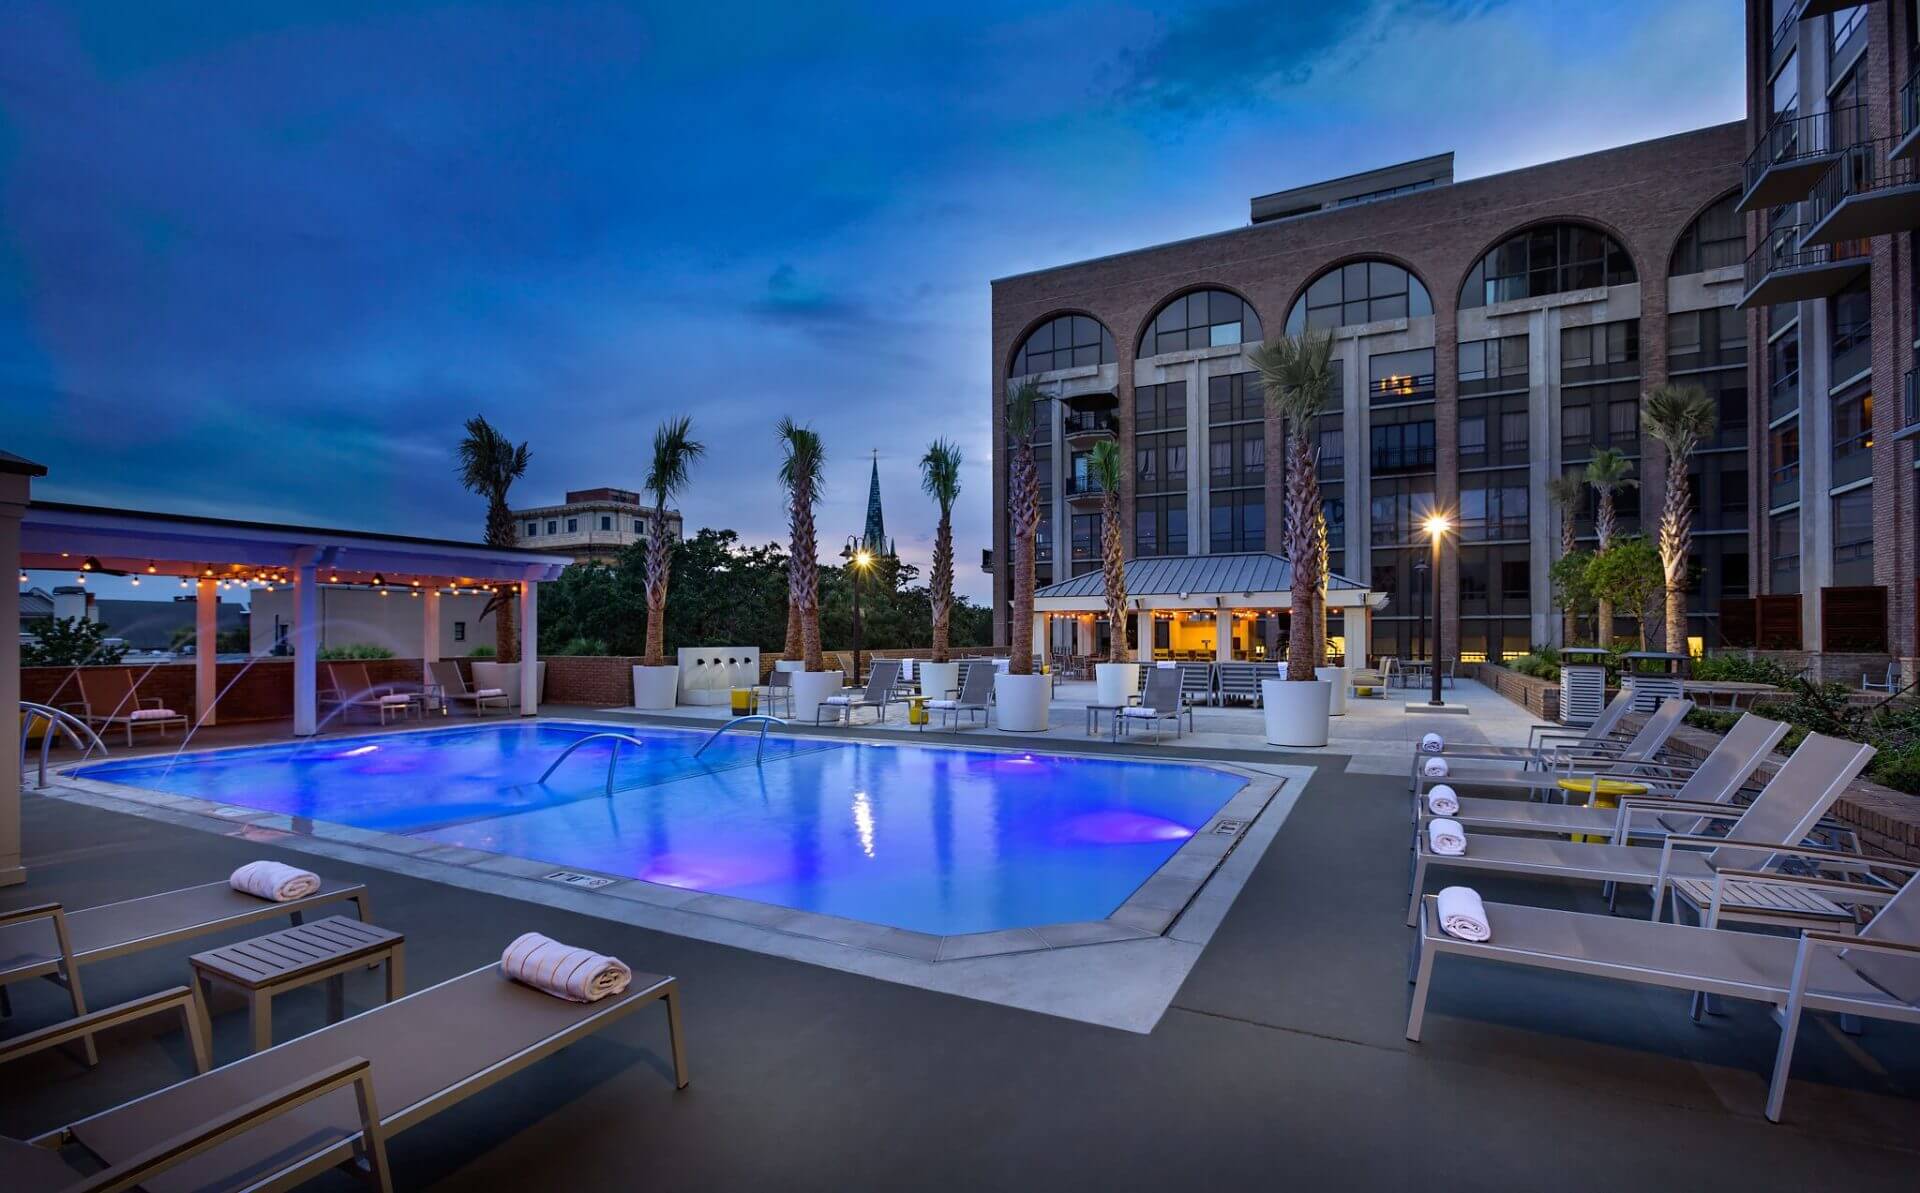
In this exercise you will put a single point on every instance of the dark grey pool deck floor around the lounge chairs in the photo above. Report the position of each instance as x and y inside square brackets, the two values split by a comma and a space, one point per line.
[1280, 1063]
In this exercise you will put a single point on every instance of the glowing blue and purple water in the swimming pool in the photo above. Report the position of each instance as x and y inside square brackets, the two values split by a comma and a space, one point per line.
[932, 840]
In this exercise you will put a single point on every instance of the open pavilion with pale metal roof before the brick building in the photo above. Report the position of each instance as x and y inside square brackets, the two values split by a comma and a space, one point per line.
[1199, 587]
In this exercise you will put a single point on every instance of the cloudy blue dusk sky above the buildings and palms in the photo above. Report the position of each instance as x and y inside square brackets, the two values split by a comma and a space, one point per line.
[262, 258]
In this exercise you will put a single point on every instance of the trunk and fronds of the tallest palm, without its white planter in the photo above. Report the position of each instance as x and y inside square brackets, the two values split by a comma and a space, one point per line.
[1297, 374]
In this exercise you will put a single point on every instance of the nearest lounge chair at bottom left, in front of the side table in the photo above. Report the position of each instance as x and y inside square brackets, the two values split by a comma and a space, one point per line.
[283, 1117]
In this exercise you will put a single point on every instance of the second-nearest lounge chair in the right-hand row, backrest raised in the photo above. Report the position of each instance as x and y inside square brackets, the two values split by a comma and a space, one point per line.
[1783, 816]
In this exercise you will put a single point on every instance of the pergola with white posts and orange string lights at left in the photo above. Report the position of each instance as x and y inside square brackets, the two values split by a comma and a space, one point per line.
[206, 554]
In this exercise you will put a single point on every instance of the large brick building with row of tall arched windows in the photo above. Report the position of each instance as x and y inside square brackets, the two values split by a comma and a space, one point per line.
[1489, 335]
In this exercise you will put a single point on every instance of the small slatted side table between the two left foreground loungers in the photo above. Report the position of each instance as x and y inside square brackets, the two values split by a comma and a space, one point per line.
[279, 962]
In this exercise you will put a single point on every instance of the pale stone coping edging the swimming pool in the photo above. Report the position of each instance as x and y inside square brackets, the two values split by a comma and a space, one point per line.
[1147, 913]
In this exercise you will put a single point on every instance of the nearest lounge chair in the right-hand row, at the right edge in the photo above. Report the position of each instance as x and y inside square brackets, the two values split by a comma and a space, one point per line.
[1875, 975]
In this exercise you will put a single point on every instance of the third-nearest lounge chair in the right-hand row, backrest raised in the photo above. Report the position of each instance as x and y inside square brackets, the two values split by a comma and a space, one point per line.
[1719, 779]
